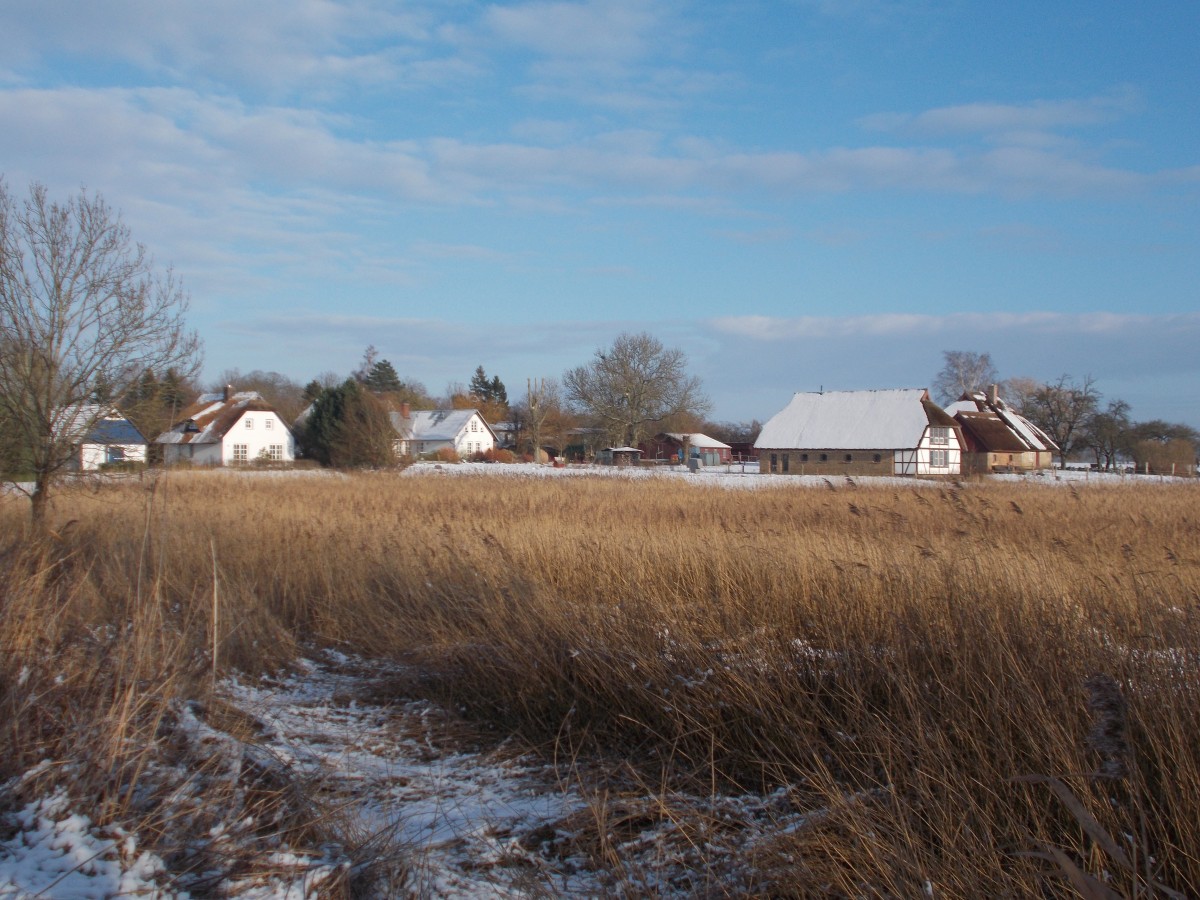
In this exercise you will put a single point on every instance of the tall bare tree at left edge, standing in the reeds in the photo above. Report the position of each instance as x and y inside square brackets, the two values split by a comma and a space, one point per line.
[81, 307]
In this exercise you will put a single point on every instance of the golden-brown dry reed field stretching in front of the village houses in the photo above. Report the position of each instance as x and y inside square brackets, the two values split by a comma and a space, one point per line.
[977, 689]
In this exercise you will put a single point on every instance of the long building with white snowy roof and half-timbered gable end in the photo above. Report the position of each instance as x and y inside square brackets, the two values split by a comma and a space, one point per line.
[872, 433]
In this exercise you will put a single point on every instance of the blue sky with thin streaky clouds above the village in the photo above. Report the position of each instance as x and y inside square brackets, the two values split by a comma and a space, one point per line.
[801, 195]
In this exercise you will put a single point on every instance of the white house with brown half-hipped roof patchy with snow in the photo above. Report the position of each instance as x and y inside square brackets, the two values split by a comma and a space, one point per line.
[227, 429]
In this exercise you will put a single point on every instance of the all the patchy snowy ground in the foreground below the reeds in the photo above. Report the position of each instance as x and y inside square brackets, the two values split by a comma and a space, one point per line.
[417, 811]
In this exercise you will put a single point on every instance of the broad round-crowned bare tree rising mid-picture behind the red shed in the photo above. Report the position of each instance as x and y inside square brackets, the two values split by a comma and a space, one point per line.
[635, 383]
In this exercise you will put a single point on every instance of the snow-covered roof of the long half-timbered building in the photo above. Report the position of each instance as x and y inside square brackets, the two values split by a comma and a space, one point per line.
[854, 421]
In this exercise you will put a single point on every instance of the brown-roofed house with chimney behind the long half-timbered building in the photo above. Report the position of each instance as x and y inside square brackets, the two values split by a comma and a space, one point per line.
[998, 439]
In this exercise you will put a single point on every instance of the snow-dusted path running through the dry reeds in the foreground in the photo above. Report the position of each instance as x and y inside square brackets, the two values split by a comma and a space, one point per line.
[447, 821]
